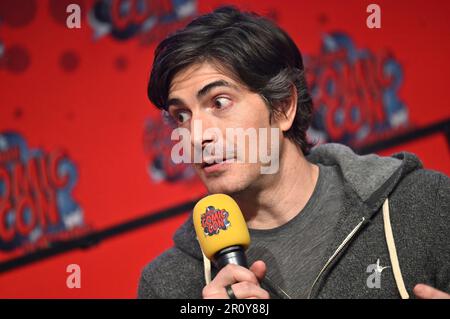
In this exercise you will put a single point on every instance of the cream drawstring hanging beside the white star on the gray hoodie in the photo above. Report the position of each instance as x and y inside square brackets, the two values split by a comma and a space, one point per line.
[393, 252]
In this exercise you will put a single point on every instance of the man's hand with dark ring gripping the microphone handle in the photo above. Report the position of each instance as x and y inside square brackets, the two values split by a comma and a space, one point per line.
[245, 282]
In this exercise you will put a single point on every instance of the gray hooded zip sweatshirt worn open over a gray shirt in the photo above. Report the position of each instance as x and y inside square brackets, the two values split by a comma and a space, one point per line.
[393, 210]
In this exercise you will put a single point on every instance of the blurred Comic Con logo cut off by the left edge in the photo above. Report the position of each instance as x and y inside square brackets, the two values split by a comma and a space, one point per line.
[36, 202]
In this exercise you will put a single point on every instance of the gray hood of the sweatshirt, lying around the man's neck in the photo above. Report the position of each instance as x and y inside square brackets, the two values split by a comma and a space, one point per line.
[369, 179]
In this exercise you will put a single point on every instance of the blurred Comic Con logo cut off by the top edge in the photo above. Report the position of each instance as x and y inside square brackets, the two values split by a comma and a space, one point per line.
[152, 19]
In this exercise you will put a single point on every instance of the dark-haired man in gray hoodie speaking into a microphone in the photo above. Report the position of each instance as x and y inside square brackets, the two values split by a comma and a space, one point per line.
[323, 225]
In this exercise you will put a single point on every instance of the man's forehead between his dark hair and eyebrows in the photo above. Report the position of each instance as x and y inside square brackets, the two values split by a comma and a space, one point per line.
[194, 77]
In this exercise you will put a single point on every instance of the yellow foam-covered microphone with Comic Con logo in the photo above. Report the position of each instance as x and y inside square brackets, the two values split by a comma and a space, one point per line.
[221, 230]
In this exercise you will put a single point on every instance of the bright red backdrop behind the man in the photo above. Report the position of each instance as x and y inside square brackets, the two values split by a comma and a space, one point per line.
[83, 92]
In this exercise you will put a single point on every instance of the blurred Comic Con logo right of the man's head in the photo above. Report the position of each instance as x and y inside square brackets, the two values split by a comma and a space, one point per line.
[355, 92]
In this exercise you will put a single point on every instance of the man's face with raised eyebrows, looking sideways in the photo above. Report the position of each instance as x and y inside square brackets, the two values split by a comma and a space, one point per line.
[203, 94]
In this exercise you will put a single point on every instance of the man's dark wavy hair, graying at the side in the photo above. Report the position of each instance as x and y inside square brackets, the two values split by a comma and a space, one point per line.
[254, 50]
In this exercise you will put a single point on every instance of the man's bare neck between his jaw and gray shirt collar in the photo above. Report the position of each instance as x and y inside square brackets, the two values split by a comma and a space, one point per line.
[281, 196]
